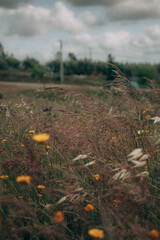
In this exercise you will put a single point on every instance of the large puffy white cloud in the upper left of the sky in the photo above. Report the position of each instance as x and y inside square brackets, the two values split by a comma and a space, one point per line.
[30, 20]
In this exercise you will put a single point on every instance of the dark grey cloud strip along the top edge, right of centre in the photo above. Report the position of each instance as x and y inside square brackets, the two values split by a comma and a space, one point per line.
[81, 3]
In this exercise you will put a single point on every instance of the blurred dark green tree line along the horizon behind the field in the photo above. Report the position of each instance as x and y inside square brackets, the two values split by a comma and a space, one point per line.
[75, 66]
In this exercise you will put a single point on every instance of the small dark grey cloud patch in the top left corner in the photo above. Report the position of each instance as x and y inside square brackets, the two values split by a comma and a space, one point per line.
[13, 3]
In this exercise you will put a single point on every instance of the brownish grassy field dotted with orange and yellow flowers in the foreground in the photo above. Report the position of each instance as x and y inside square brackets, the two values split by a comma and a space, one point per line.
[94, 175]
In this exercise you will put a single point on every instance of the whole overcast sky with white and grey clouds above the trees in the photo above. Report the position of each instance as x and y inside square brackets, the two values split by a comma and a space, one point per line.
[128, 29]
